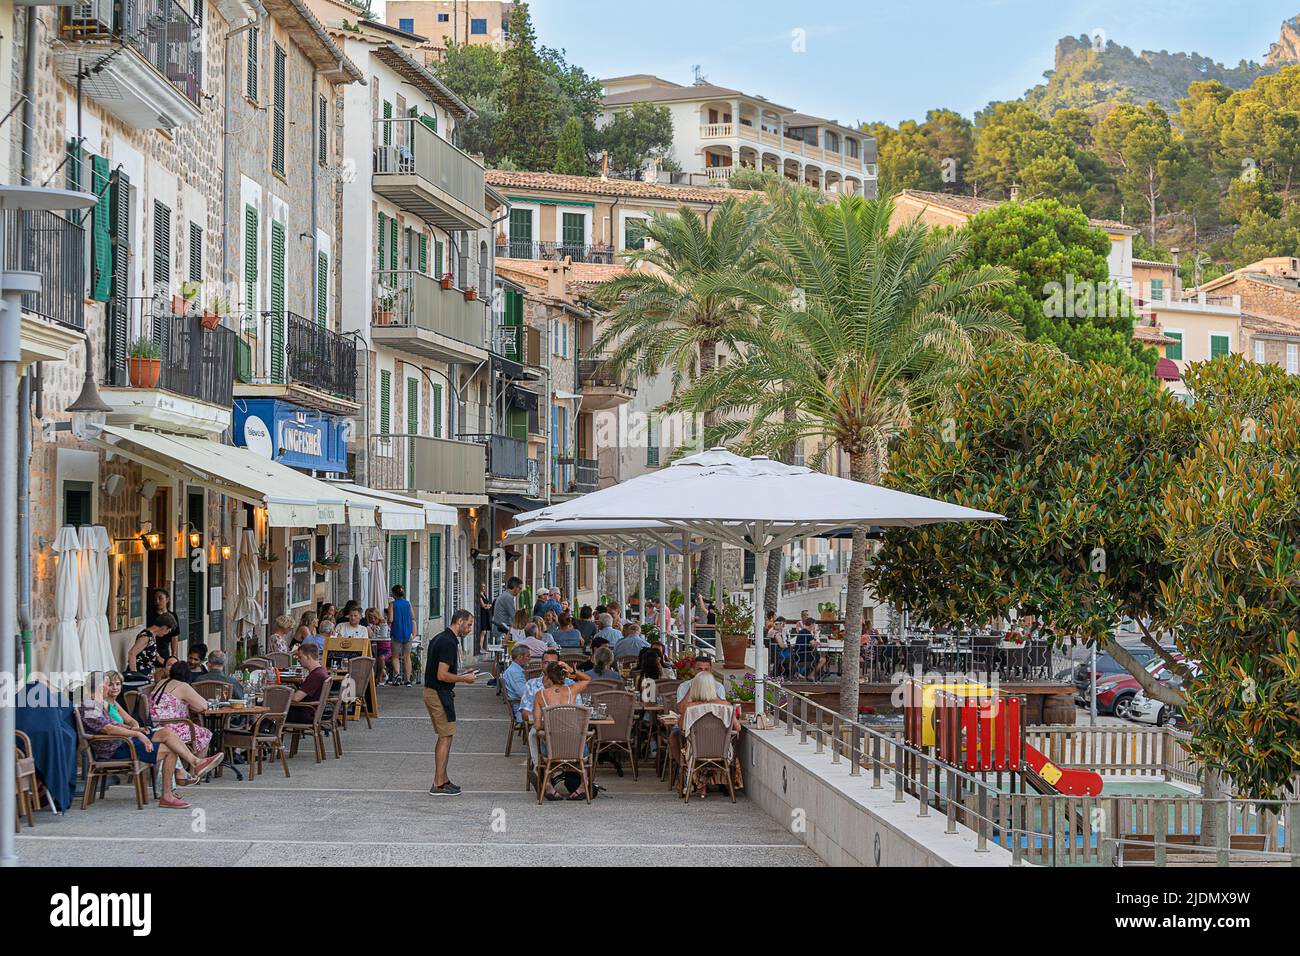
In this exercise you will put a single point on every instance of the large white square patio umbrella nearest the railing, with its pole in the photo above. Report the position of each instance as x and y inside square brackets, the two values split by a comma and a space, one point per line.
[756, 504]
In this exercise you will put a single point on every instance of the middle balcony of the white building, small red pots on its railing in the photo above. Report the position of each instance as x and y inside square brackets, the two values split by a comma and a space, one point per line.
[415, 313]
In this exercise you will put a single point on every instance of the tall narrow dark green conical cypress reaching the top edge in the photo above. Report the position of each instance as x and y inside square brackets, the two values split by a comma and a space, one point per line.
[527, 132]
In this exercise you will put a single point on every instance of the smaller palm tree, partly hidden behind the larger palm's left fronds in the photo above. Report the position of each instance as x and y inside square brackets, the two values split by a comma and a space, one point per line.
[664, 313]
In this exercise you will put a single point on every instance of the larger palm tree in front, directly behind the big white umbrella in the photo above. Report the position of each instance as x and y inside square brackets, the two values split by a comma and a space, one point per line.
[863, 328]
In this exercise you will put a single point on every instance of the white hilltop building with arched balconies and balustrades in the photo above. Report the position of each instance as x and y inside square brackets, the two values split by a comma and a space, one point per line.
[717, 131]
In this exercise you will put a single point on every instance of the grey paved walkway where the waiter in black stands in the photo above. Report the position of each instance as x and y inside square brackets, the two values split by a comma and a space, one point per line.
[372, 807]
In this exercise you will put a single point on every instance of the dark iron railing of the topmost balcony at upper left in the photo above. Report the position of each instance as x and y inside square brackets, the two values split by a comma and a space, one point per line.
[162, 32]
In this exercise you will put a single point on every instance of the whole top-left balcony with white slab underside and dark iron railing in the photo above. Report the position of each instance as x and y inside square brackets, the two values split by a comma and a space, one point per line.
[142, 62]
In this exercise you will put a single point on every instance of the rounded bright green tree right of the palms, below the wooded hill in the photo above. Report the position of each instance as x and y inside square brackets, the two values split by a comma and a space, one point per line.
[1054, 249]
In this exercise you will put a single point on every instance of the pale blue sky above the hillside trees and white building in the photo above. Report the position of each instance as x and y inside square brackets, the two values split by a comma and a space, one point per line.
[887, 60]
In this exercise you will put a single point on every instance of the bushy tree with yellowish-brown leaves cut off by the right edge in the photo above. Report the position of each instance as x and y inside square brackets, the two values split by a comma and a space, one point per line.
[1236, 596]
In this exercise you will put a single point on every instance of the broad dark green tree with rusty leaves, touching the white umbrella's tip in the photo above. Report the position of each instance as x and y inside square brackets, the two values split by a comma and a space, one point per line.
[1076, 457]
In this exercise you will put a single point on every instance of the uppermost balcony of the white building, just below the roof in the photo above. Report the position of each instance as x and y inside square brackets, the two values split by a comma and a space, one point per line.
[423, 174]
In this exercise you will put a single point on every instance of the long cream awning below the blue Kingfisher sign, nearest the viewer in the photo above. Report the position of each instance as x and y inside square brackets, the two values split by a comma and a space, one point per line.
[292, 500]
